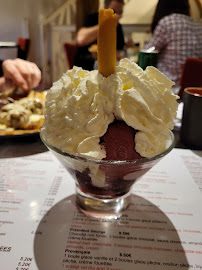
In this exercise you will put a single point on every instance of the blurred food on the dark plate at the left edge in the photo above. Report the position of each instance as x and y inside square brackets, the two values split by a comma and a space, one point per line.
[21, 115]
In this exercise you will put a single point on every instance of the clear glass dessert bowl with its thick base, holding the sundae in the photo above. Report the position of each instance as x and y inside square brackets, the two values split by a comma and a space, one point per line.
[103, 187]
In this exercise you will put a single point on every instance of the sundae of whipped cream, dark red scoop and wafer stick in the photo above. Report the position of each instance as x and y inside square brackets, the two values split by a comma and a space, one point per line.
[109, 126]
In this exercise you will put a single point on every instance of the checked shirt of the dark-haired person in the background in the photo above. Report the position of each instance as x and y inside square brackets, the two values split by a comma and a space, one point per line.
[176, 37]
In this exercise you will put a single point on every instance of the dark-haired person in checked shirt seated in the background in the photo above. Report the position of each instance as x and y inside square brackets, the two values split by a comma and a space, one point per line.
[175, 35]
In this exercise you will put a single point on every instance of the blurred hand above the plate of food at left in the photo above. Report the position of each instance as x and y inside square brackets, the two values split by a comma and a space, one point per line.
[21, 73]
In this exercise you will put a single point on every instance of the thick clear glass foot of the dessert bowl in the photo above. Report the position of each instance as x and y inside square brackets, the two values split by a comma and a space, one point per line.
[103, 207]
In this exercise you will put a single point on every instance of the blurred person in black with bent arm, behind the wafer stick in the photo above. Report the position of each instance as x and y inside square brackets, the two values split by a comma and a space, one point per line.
[88, 33]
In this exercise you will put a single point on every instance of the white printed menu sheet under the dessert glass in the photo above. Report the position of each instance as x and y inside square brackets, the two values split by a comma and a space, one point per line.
[41, 227]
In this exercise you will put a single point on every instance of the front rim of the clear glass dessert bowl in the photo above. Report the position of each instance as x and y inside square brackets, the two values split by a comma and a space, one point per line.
[111, 162]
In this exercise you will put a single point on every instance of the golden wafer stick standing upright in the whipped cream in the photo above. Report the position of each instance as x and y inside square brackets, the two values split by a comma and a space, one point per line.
[107, 42]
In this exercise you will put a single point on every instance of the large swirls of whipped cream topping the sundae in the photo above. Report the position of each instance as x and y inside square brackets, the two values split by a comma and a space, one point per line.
[82, 104]
